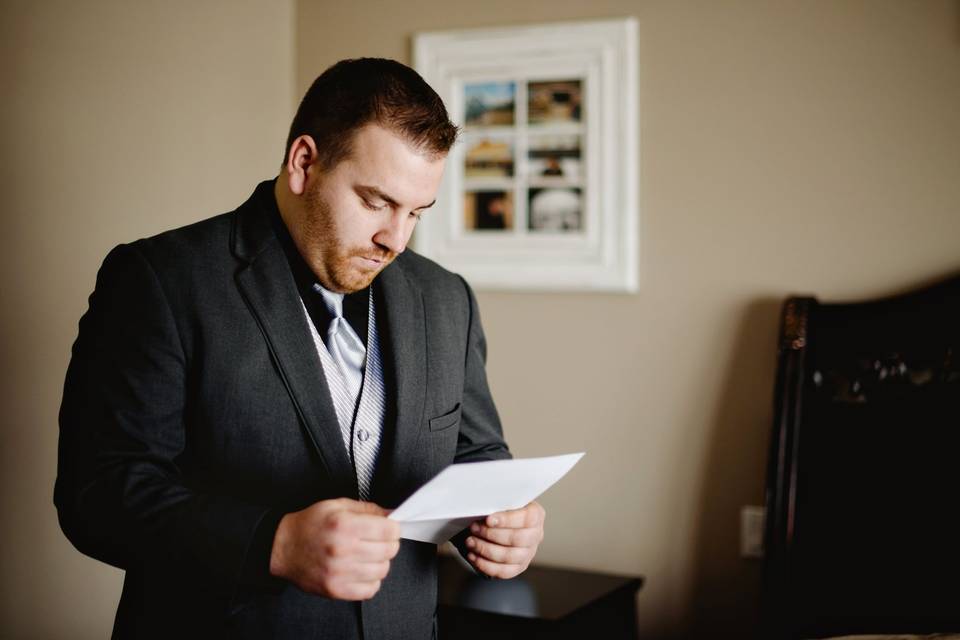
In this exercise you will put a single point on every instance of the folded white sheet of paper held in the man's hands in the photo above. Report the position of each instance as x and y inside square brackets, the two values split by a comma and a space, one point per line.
[462, 493]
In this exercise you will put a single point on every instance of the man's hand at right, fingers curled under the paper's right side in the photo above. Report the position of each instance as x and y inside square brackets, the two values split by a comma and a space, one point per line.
[503, 544]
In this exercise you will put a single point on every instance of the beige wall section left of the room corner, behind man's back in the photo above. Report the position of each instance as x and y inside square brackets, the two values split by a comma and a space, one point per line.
[120, 119]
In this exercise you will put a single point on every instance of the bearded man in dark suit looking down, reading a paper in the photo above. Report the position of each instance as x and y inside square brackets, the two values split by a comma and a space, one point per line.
[238, 385]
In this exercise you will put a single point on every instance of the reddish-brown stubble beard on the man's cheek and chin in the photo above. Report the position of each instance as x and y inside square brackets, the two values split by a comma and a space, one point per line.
[332, 261]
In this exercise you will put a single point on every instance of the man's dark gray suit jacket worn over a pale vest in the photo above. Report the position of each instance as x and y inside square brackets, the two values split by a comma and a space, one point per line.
[195, 413]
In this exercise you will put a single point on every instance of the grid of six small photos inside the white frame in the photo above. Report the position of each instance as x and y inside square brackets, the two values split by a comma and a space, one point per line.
[523, 156]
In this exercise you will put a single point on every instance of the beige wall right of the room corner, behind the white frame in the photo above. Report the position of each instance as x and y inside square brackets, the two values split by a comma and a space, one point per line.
[807, 146]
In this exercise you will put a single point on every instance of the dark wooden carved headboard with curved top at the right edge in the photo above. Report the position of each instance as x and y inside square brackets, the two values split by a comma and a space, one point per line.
[863, 484]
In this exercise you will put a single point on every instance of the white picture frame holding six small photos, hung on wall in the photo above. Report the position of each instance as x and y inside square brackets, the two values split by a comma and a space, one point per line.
[540, 192]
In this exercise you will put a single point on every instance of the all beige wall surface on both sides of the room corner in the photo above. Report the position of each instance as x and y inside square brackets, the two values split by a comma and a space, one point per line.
[786, 146]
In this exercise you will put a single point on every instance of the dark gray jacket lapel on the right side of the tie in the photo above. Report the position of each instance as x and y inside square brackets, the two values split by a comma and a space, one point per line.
[405, 344]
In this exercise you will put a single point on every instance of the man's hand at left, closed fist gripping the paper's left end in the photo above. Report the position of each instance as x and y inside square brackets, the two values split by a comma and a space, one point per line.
[336, 548]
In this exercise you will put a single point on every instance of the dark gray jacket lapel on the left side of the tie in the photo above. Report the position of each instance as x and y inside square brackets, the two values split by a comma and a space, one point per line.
[267, 285]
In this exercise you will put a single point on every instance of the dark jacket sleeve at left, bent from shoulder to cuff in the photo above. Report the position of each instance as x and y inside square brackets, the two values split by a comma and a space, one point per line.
[120, 492]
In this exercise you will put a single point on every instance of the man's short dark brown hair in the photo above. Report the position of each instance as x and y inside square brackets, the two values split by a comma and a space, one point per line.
[357, 92]
